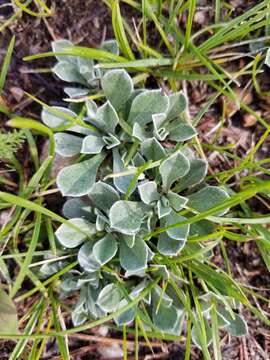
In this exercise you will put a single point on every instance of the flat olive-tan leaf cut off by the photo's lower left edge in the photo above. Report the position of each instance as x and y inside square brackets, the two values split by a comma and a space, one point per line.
[8, 314]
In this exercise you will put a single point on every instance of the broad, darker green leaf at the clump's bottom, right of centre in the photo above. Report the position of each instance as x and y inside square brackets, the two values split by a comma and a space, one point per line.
[165, 317]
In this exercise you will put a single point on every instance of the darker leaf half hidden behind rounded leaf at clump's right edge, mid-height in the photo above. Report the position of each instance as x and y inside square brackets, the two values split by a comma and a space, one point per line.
[196, 174]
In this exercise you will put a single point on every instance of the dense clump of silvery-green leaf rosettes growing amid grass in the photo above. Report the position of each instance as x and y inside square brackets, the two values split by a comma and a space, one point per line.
[133, 191]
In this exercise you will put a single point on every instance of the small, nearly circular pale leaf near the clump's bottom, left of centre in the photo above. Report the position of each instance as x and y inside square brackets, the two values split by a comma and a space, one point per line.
[109, 298]
